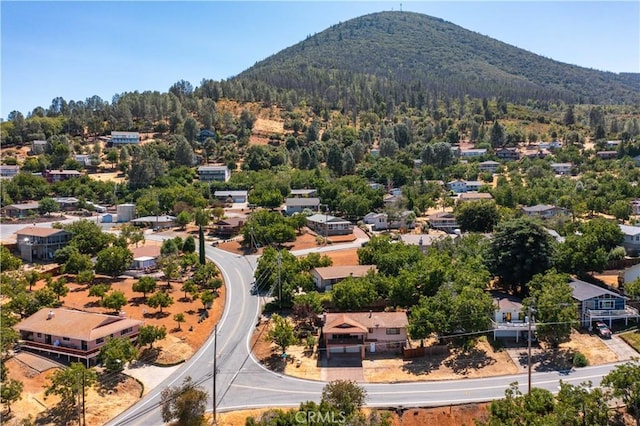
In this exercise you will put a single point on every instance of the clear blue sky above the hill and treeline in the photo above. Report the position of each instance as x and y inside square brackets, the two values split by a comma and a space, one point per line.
[80, 49]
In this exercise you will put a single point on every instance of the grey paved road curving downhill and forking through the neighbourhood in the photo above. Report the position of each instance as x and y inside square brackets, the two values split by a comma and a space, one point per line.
[243, 383]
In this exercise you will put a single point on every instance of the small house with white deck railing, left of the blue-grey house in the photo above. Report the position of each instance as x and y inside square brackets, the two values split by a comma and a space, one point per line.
[509, 319]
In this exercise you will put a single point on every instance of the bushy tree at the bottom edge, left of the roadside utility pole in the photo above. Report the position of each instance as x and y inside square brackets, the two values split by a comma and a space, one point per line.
[185, 403]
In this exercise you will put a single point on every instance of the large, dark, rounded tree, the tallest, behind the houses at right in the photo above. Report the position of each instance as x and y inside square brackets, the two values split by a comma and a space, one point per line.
[519, 249]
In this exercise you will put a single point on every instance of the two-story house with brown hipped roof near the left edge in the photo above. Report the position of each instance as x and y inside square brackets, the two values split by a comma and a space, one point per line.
[37, 243]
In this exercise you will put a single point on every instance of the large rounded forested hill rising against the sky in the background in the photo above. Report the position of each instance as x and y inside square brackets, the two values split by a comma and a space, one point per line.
[403, 56]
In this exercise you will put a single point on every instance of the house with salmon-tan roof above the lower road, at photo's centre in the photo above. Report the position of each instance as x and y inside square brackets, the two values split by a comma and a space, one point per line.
[361, 332]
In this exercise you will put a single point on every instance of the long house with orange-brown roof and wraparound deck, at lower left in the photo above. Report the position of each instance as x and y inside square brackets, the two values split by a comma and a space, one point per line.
[76, 334]
